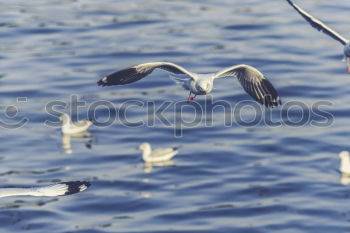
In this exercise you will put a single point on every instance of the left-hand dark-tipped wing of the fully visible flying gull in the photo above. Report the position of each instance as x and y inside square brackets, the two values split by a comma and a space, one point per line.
[137, 72]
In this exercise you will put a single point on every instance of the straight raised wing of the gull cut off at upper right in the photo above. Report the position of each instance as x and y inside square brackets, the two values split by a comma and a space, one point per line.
[318, 24]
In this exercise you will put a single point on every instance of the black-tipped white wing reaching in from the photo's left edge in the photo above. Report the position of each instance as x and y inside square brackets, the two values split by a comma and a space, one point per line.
[60, 189]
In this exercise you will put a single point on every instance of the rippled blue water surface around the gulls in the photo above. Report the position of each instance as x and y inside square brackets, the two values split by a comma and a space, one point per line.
[225, 179]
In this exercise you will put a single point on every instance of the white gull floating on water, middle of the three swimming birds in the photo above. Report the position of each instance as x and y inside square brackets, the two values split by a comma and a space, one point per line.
[158, 155]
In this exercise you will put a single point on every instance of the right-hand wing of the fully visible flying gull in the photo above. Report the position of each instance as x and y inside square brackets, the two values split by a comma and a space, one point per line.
[253, 82]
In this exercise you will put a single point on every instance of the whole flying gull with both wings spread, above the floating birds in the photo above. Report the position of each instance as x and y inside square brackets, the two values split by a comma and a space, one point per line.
[251, 79]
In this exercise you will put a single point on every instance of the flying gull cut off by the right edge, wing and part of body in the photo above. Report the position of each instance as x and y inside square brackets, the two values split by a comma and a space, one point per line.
[327, 30]
